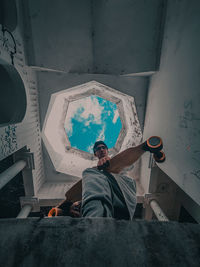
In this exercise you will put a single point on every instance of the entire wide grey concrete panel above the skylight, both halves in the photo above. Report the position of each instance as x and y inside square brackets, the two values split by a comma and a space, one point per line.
[114, 37]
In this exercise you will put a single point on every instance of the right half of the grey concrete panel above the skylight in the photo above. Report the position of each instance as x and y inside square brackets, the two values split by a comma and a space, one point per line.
[127, 35]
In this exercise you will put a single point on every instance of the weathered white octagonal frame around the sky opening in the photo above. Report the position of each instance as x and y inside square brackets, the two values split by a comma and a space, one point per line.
[72, 161]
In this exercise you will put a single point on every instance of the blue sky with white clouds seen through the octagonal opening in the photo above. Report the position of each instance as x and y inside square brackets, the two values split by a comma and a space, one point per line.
[90, 119]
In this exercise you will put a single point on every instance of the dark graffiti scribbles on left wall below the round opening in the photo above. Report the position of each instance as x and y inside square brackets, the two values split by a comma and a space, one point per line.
[8, 140]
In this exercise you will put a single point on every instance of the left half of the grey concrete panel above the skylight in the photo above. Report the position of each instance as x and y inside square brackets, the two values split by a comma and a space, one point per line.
[60, 33]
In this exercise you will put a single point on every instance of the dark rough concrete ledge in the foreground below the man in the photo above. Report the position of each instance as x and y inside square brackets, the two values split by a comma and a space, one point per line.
[65, 241]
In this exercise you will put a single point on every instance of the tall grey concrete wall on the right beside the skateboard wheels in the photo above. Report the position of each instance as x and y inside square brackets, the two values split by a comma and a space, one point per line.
[173, 107]
